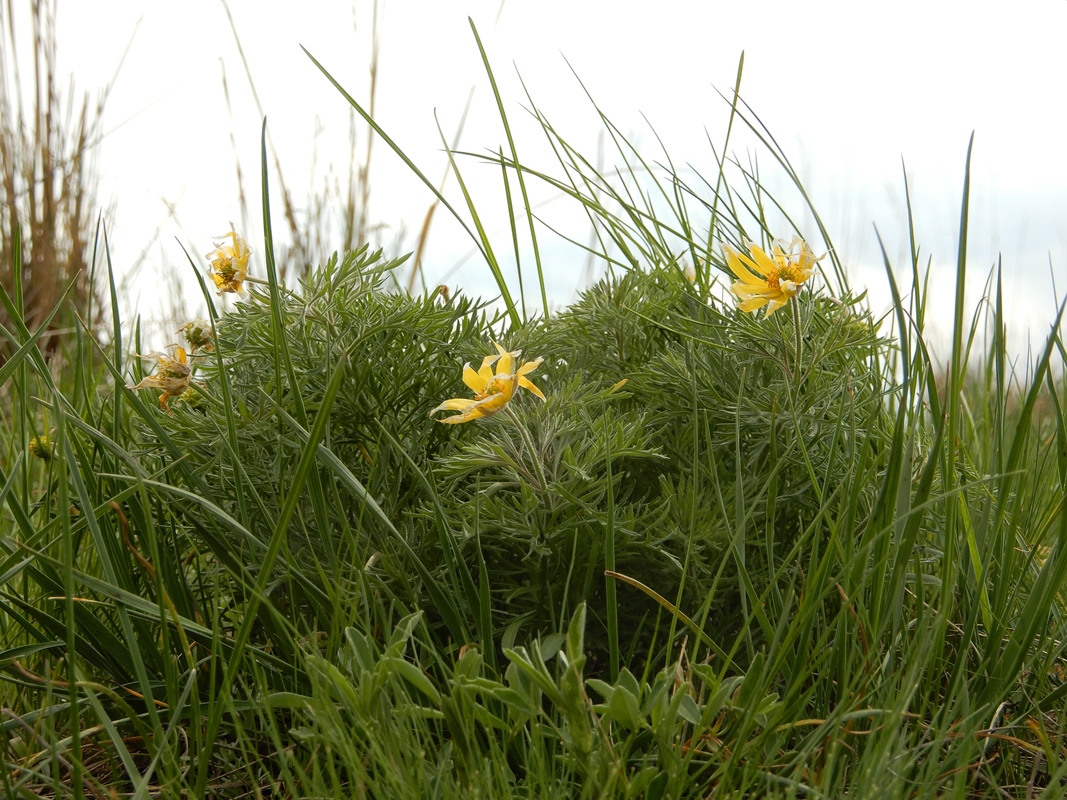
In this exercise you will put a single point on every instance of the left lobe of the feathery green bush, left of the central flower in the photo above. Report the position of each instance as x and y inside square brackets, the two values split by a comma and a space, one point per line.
[397, 355]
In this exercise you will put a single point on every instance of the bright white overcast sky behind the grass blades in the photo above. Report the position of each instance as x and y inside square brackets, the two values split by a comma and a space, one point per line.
[849, 89]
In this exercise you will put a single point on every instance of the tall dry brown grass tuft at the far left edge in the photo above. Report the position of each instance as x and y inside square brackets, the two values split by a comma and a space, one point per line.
[49, 178]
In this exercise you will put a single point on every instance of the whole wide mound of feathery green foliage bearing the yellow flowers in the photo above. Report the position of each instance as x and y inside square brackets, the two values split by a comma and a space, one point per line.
[711, 437]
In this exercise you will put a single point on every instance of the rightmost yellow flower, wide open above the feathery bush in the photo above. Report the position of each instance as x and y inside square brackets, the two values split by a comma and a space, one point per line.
[770, 281]
